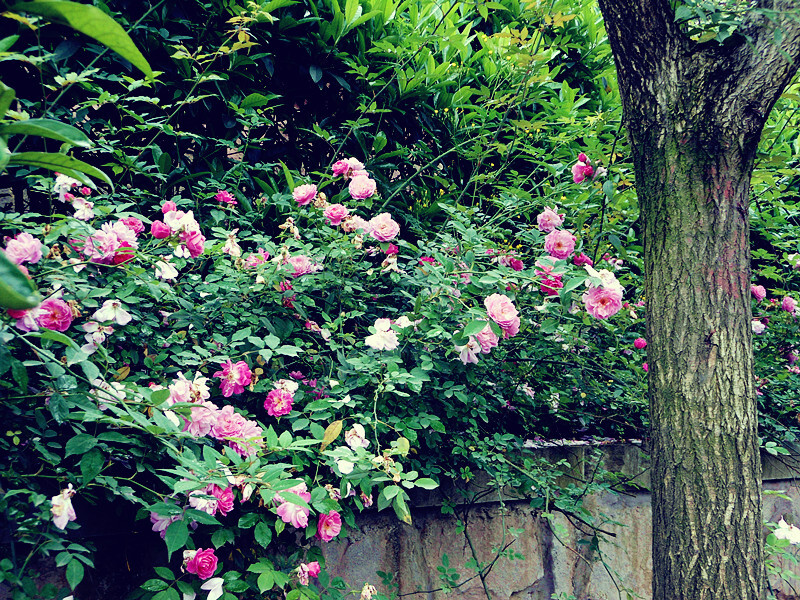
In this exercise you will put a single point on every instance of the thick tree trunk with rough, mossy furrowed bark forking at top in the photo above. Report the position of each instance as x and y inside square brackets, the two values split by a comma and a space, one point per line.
[694, 114]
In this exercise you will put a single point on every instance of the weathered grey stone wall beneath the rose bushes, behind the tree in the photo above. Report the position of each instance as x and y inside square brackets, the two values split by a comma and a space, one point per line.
[559, 557]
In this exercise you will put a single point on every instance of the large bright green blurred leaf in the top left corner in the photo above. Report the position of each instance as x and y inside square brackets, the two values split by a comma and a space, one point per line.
[90, 21]
